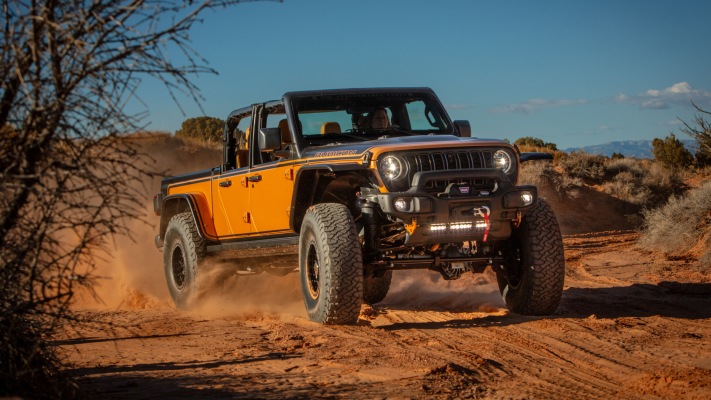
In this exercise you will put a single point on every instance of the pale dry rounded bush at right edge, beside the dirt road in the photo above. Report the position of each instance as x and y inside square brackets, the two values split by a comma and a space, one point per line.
[682, 224]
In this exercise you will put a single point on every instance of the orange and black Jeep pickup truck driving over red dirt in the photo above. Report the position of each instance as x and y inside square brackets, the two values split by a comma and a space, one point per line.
[347, 186]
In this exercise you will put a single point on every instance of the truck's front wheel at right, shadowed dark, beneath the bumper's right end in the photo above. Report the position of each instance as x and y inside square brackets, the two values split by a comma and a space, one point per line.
[532, 283]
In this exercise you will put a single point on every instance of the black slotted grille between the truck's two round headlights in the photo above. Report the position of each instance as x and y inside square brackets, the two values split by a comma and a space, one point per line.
[451, 160]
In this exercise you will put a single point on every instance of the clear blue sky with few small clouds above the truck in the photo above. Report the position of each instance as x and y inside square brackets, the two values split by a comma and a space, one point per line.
[574, 73]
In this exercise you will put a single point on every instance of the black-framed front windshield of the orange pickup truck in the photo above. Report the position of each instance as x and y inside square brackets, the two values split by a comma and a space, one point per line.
[359, 117]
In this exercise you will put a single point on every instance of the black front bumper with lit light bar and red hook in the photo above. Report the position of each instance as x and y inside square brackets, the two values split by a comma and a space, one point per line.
[461, 213]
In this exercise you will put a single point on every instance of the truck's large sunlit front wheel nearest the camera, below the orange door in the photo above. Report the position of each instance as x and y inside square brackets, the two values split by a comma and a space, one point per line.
[330, 265]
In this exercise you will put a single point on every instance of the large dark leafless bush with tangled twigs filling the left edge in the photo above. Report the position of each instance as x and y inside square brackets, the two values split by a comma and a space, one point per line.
[68, 181]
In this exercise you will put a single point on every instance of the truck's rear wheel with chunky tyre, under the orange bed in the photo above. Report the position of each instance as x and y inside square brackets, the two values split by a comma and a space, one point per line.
[183, 252]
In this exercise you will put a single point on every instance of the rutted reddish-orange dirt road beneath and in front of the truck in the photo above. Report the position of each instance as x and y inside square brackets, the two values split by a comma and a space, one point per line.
[631, 325]
